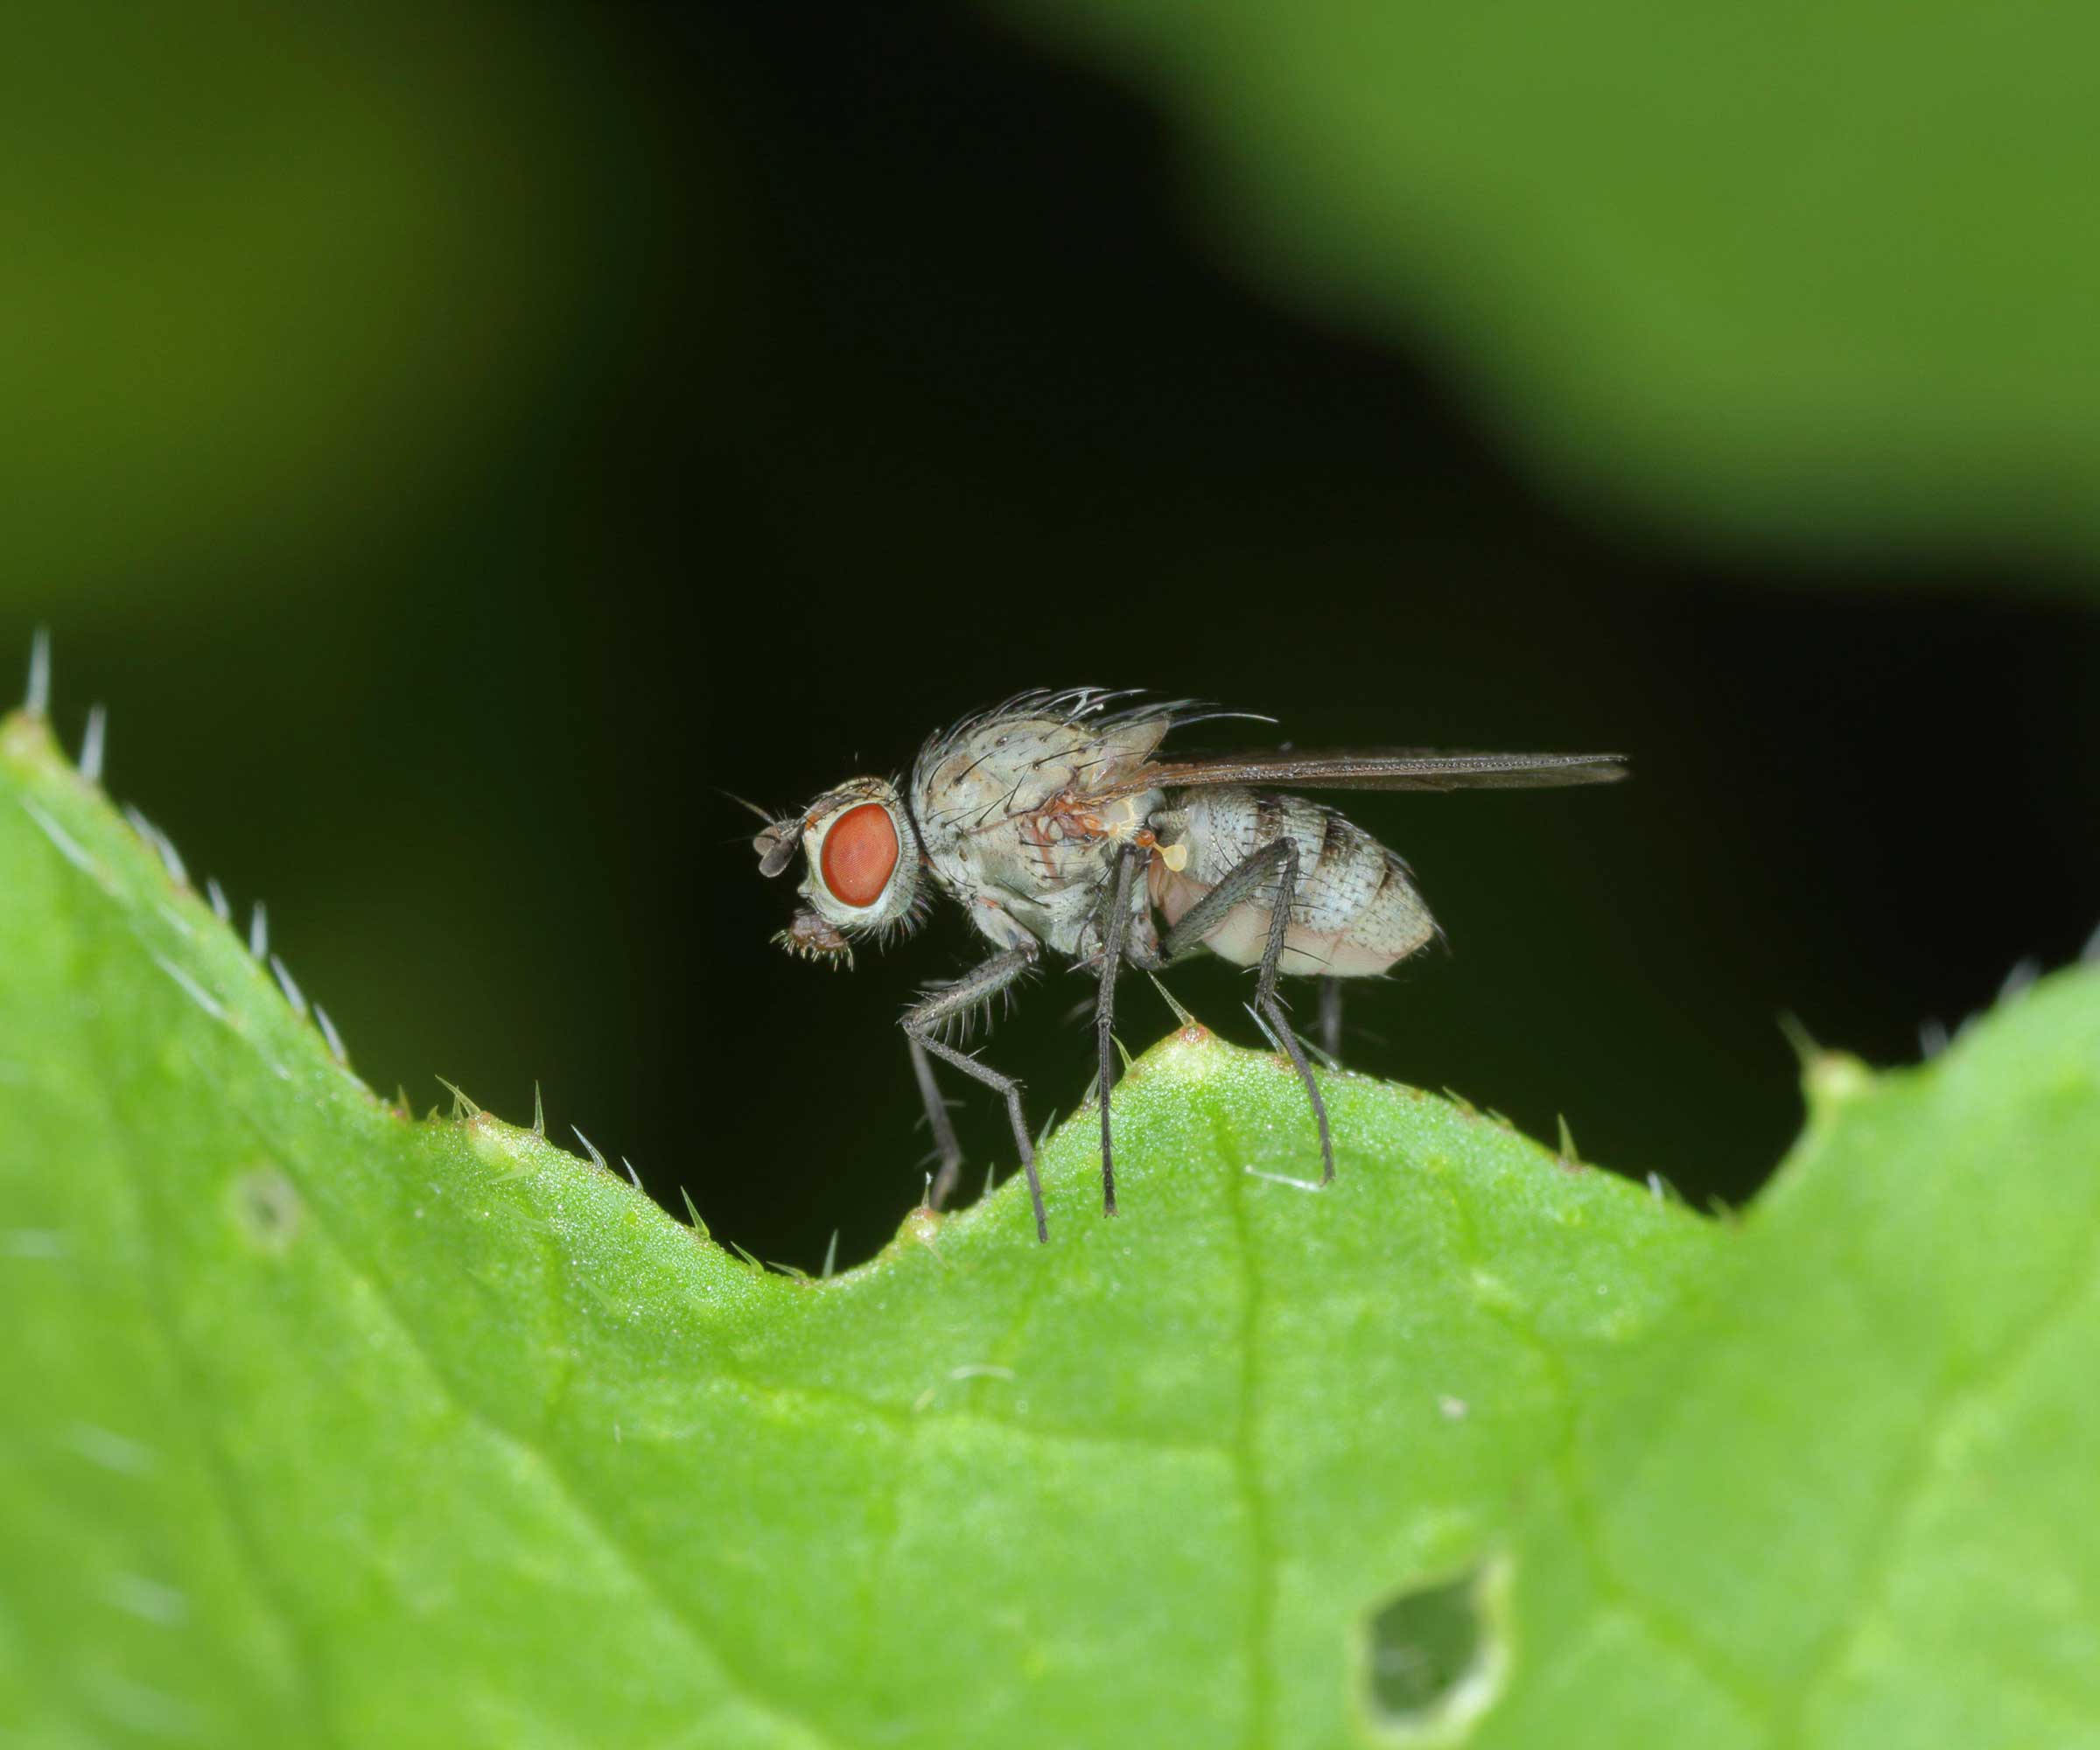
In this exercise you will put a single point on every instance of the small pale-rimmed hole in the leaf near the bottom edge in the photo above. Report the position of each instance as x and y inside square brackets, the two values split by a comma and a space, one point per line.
[1435, 1657]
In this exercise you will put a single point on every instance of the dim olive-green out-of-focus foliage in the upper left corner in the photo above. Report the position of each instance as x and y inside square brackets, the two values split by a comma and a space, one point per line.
[272, 278]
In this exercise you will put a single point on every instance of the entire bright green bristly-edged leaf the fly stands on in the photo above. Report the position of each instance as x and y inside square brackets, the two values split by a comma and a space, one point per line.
[327, 1425]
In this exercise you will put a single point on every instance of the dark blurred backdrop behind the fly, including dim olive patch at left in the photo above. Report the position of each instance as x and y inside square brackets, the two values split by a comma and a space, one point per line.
[459, 442]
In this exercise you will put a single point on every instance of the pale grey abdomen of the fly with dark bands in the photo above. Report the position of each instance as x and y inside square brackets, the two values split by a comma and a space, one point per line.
[1353, 913]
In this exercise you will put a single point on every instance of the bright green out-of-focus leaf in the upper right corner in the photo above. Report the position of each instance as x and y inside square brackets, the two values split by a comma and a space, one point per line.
[1818, 276]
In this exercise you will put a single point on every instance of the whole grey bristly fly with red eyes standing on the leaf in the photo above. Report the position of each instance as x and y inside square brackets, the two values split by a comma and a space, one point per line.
[1055, 822]
